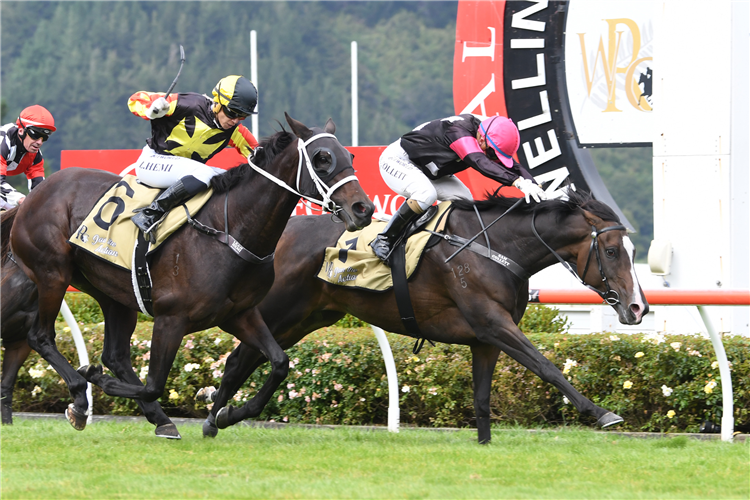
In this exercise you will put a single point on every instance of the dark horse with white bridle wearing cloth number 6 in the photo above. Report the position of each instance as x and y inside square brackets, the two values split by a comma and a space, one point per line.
[200, 278]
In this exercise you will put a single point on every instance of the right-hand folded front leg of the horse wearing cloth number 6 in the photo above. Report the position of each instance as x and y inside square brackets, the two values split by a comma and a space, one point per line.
[250, 328]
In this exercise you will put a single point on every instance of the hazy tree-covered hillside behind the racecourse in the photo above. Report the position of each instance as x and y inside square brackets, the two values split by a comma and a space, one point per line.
[82, 60]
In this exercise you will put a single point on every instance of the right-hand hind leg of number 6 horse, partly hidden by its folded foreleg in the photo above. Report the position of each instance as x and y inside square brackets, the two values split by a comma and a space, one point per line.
[119, 324]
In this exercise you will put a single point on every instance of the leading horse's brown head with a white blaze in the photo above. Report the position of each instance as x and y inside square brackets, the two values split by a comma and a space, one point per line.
[606, 262]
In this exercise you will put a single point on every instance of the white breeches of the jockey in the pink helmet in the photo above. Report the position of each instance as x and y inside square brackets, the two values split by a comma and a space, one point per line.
[406, 179]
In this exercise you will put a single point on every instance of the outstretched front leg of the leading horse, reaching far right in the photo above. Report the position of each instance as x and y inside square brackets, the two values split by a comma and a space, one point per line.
[499, 329]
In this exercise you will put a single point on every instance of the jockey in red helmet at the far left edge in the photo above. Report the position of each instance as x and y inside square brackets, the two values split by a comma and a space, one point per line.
[20, 154]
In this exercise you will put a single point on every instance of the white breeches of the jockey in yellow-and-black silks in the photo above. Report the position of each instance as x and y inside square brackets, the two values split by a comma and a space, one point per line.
[161, 171]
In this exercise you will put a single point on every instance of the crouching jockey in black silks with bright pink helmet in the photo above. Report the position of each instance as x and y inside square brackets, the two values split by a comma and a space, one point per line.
[420, 167]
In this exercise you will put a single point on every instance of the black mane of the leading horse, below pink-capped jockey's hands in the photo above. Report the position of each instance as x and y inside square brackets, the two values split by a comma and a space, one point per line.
[574, 201]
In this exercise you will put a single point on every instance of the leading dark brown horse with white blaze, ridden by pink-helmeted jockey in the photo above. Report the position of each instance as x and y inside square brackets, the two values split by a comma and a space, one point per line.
[469, 300]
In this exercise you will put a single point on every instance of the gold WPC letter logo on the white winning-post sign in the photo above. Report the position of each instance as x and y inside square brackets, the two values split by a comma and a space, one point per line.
[618, 63]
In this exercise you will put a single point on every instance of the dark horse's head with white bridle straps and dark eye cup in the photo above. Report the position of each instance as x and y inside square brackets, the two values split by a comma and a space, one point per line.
[328, 174]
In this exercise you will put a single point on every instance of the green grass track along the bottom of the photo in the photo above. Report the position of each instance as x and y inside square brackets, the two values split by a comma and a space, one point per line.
[48, 459]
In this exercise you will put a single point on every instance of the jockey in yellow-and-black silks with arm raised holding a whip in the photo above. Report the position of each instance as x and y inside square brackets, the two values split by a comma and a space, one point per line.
[187, 130]
